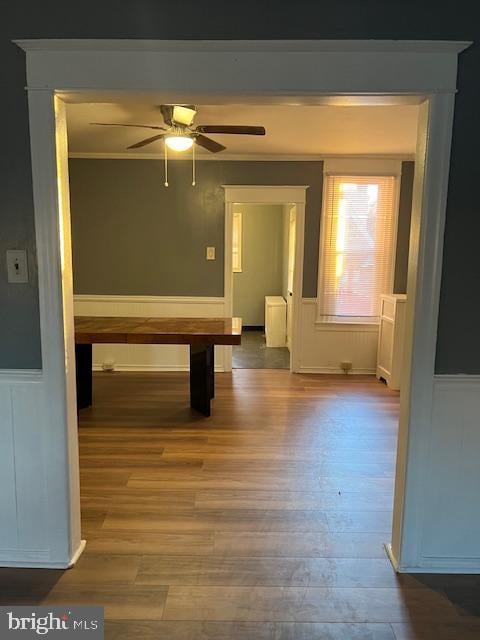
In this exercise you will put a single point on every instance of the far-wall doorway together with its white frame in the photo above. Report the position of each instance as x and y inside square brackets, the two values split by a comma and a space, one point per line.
[274, 342]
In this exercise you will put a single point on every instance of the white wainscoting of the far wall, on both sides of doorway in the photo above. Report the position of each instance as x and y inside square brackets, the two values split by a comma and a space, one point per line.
[322, 347]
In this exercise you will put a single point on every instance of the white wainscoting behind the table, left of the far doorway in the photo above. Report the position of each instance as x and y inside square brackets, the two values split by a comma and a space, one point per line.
[143, 357]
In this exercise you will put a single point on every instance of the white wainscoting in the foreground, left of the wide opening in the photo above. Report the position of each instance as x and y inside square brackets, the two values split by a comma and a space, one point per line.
[23, 494]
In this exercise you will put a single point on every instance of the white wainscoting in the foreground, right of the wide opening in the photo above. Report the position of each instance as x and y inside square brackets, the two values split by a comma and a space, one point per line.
[451, 526]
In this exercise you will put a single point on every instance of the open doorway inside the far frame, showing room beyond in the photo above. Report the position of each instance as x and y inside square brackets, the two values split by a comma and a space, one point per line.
[263, 259]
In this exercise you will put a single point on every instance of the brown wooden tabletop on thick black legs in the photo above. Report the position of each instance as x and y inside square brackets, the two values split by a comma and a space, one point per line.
[92, 329]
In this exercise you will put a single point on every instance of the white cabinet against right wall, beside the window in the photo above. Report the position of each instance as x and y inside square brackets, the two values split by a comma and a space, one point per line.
[391, 337]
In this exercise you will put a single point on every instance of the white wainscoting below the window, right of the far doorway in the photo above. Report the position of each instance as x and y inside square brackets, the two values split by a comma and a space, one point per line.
[323, 347]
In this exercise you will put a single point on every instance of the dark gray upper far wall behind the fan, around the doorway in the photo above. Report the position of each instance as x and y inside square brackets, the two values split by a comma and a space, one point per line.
[132, 235]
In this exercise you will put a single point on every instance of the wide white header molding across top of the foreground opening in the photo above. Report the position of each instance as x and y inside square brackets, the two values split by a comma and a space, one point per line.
[183, 68]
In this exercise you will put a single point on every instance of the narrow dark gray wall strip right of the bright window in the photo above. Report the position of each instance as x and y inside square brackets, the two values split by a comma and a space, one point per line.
[403, 227]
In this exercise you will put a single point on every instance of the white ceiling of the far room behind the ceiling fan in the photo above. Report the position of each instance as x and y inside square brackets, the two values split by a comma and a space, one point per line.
[291, 130]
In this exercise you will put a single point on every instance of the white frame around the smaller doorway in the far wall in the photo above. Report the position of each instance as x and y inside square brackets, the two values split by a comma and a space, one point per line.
[267, 194]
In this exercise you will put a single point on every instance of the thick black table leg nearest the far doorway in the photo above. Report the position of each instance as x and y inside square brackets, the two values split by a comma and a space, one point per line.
[202, 381]
